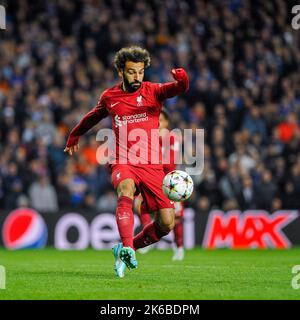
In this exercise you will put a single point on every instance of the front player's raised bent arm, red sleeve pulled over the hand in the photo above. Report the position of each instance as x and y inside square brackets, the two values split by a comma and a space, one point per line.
[171, 89]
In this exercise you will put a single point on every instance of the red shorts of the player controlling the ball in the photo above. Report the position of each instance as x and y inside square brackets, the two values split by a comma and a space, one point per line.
[148, 181]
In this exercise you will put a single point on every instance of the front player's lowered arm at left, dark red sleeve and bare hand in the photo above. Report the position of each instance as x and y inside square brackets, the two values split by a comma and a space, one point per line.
[86, 123]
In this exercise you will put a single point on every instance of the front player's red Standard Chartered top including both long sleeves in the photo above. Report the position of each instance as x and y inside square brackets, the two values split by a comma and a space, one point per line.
[130, 113]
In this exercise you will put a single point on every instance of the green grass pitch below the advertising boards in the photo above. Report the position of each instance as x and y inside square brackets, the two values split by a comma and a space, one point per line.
[204, 274]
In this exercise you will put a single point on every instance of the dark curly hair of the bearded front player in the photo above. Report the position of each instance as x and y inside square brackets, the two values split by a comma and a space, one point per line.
[134, 54]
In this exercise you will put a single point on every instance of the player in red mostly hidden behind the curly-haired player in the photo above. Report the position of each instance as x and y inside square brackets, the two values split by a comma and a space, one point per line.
[169, 150]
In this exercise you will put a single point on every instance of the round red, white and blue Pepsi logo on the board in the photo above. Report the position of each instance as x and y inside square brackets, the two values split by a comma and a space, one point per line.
[24, 228]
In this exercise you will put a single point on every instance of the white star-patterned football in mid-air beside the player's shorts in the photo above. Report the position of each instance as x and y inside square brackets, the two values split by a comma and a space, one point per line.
[178, 185]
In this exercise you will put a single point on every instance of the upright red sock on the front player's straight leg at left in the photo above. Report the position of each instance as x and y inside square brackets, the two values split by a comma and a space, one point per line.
[125, 221]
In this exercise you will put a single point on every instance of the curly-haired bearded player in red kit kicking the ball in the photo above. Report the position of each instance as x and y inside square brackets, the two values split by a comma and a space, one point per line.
[134, 104]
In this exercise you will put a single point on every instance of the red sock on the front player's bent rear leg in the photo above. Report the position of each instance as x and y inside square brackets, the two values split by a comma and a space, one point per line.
[150, 234]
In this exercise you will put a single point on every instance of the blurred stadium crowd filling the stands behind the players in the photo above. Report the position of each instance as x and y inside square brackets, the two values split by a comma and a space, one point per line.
[243, 58]
